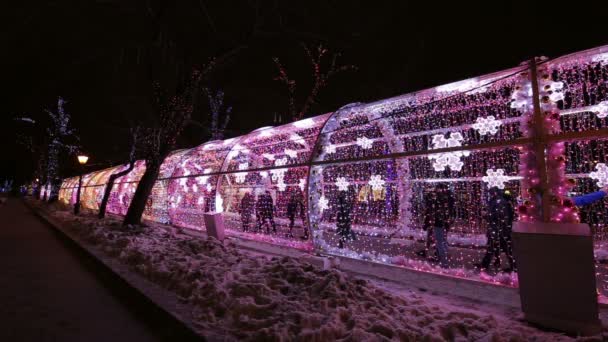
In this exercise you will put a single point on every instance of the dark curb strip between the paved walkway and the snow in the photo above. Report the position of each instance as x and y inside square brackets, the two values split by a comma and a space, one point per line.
[151, 296]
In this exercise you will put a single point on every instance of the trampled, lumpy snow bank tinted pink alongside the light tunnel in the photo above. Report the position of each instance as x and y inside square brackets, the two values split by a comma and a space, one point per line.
[246, 296]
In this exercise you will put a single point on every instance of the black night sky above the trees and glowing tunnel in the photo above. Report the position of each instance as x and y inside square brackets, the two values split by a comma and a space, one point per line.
[100, 56]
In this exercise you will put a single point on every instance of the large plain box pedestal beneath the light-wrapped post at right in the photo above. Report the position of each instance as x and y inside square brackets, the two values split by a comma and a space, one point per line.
[556, 273]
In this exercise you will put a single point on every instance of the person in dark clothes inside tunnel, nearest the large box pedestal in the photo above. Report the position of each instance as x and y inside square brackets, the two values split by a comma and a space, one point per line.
[500, 220]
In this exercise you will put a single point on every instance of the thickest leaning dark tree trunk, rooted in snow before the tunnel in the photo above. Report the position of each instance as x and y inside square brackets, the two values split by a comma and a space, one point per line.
[174, 113]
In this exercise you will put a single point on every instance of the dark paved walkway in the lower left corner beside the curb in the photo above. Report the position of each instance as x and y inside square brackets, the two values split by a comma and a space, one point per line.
[49, 293]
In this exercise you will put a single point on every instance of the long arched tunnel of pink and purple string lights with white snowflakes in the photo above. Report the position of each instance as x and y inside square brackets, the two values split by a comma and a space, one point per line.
[386, 196]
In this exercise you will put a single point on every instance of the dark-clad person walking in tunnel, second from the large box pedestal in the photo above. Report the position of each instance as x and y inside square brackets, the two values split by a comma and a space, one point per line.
[439, 213]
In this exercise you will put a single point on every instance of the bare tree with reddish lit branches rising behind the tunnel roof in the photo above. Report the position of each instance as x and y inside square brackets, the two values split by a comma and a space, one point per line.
[321, 74]
